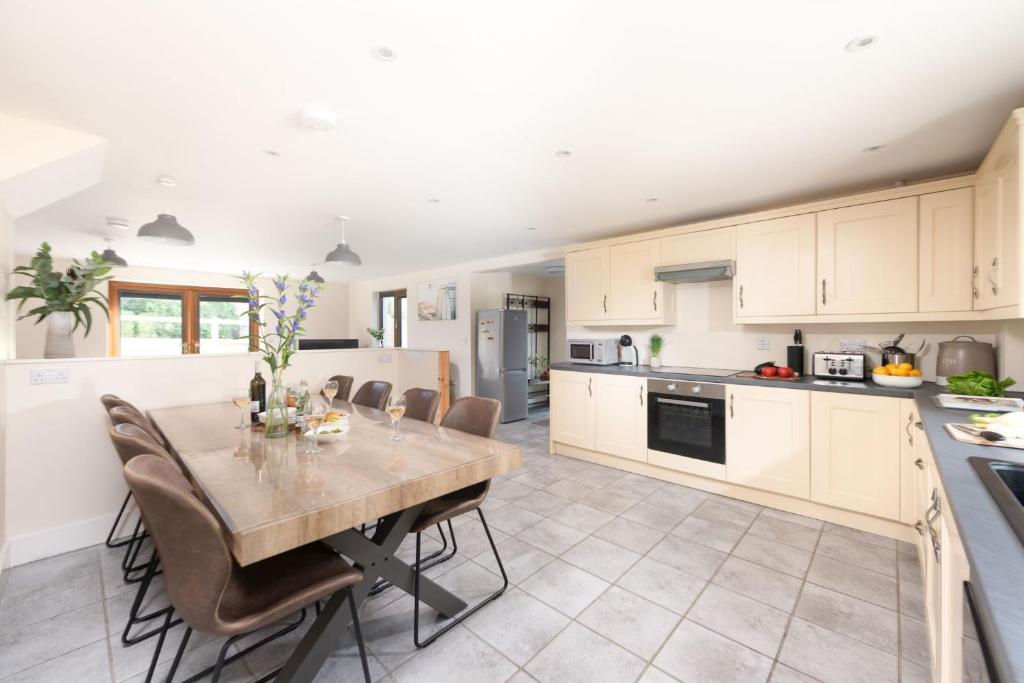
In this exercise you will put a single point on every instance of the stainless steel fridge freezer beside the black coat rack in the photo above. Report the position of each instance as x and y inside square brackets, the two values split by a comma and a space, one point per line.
[501, 360]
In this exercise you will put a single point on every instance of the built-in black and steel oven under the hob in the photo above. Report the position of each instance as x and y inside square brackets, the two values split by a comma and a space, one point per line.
[687, 419]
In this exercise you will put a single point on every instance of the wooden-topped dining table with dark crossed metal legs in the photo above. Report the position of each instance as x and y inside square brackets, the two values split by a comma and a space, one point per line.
[272, 497]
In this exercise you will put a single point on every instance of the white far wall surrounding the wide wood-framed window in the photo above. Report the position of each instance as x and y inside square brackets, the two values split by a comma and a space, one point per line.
[329, 319]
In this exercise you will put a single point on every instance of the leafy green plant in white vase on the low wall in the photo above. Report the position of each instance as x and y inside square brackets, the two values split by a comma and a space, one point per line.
[67, 297]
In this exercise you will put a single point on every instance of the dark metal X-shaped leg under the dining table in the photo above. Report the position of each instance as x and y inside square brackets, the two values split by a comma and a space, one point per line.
[375, 558]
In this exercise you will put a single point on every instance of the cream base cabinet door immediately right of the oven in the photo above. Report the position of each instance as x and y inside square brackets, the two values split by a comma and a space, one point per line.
[767, 437]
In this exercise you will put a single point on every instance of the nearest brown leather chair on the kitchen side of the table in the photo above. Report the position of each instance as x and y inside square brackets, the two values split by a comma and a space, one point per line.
[476, 416]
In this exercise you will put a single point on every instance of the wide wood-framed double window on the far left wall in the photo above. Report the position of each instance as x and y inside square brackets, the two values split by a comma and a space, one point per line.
[168, 320]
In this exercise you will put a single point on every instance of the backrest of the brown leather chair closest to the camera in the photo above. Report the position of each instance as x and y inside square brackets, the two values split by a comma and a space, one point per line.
[194, 556]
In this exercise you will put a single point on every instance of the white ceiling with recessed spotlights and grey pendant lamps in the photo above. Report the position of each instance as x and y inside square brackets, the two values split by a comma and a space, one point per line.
[711, 107]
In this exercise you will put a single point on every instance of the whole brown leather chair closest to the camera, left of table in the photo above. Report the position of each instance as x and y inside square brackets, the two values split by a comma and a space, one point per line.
[209, 590]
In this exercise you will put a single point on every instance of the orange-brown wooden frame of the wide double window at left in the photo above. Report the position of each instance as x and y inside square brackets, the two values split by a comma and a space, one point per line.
[190, 312]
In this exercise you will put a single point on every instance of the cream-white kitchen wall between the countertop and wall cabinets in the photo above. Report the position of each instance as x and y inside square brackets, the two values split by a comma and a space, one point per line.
[705, 336]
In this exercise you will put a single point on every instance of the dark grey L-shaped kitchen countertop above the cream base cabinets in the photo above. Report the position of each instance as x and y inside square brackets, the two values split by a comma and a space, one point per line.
[995, 552]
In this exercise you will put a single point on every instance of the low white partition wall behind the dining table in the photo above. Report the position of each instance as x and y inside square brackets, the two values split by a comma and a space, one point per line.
[64, 480]
